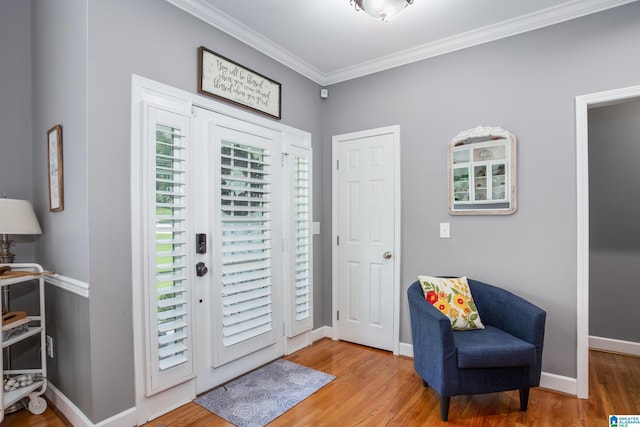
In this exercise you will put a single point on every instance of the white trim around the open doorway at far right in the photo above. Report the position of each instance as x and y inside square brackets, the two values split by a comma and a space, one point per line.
[583, 103]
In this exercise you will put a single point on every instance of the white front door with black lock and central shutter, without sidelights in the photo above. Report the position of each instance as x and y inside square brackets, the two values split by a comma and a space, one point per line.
[237, 205]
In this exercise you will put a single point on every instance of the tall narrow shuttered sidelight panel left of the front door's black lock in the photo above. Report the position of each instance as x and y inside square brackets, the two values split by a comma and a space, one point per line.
[168, 293]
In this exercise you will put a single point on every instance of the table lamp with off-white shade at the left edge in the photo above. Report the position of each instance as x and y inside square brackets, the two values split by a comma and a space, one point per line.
[16, 218]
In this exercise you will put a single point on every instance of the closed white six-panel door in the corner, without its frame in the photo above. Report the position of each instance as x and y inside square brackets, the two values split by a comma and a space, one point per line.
[366, 233]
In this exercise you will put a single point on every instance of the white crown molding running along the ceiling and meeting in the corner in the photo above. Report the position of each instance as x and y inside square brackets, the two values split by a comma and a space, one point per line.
[540, 19]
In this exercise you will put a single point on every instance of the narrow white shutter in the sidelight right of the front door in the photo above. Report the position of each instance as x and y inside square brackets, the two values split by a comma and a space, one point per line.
[300, 306]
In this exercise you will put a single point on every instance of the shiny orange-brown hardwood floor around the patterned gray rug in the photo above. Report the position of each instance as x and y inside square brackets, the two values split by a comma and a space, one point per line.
[374, 388]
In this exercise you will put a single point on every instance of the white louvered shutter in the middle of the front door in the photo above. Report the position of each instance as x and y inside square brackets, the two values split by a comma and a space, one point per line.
[246, 242]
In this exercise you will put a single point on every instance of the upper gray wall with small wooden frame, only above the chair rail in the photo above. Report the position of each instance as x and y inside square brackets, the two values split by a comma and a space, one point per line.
[59, 54]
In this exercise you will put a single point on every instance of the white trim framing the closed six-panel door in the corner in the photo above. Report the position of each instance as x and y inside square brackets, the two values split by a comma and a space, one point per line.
[395, 130]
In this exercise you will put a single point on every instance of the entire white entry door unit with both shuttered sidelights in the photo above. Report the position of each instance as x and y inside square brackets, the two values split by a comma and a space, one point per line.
[220, 175]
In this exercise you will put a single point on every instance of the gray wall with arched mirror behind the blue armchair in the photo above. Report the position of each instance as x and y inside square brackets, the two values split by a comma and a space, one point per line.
[527, 84]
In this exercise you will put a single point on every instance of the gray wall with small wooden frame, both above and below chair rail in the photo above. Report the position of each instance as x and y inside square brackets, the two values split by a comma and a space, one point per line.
[59, 87]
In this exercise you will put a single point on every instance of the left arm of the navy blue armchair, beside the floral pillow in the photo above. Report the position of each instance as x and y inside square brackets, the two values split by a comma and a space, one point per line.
[434, 353]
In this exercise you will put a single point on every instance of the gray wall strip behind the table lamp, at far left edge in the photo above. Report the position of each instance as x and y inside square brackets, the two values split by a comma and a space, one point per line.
[15, 109]
